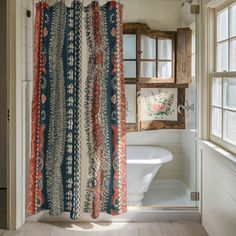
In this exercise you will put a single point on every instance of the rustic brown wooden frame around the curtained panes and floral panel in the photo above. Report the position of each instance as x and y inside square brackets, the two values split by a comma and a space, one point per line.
[142, 29]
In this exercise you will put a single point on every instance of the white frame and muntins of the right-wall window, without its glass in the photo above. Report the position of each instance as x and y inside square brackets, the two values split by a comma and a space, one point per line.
[221, 141]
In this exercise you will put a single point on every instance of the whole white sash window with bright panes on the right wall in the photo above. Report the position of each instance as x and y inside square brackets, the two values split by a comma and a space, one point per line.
[223, 80]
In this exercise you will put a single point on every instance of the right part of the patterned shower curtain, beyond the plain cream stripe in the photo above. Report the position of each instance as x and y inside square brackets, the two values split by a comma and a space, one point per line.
[105, 110]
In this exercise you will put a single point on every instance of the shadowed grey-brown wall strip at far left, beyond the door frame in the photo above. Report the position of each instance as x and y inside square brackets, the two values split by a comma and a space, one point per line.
[3, 95]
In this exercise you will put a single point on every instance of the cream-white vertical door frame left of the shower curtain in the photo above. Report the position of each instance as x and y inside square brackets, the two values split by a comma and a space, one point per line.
[15, 159]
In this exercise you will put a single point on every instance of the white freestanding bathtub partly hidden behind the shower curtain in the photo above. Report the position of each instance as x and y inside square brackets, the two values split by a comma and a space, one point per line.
[143, 162]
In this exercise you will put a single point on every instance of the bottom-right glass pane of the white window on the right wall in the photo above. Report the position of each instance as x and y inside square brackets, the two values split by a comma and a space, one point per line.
[230, 126]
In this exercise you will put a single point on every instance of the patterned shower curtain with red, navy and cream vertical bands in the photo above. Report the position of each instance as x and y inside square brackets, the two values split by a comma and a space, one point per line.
[56, 166]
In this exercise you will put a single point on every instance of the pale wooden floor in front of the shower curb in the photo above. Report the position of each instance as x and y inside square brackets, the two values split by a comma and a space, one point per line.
[110, 229]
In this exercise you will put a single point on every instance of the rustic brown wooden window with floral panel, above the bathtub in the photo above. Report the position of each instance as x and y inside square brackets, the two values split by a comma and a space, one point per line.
[153, 92]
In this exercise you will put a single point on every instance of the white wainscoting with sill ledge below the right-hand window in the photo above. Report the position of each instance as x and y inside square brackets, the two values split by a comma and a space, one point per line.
[218, 190]
